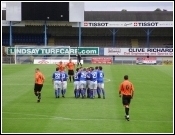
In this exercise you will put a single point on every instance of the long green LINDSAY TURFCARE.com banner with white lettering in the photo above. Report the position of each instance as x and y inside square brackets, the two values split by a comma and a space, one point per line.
[52, 50]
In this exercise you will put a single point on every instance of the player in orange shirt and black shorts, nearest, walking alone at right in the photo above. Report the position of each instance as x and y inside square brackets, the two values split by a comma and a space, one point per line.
[126, 91]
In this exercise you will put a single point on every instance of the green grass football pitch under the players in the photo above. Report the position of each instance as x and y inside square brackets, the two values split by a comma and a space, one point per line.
[151, 109]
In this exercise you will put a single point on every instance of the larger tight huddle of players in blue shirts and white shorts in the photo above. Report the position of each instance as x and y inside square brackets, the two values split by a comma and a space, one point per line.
[89, 81]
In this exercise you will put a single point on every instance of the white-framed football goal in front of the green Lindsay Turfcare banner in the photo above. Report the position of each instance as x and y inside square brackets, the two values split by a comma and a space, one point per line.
[24, 54]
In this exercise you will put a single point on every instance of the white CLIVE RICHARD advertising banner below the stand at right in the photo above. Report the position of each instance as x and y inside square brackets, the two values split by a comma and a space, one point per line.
[138, 51]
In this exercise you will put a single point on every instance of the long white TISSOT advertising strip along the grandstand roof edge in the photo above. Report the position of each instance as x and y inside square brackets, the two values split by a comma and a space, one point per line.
[124, 24]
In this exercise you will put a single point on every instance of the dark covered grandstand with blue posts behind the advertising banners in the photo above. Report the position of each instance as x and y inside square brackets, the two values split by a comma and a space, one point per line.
[60, 33]
